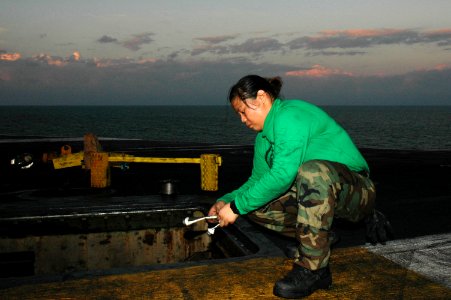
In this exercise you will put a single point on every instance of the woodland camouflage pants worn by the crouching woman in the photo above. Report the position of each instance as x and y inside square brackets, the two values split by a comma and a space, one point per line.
[322, 190]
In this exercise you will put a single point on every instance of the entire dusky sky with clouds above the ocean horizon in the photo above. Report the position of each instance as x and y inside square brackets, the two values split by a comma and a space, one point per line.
[141, 52]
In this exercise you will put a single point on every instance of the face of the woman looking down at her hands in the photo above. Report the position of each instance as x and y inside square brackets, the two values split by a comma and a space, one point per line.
[253, 112]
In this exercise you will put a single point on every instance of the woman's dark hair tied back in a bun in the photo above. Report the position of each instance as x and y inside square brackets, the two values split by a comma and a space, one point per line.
[248, 86]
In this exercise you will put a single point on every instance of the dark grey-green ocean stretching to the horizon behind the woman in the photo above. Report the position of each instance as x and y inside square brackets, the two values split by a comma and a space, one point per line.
[380, 127]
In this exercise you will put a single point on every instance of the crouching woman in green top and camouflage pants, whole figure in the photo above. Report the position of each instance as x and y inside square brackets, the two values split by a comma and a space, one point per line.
[306, 170]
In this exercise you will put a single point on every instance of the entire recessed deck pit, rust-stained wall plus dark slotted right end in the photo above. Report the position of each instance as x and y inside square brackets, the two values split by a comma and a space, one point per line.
[56, 257]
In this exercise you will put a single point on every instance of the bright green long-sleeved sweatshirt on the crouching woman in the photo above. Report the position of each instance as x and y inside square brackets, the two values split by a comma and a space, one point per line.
[294, 132]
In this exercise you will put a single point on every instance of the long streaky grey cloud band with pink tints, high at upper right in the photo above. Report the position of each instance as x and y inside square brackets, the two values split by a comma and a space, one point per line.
[325, 43]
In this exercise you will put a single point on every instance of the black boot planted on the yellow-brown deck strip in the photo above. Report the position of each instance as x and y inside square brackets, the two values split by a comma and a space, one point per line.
[301, 282]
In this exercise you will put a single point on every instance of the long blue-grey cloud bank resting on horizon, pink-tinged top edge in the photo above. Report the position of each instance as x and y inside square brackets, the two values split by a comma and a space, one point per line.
[147, 81]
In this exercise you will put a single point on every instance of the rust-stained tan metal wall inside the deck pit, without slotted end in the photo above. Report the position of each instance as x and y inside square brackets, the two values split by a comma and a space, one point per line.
[69, 253]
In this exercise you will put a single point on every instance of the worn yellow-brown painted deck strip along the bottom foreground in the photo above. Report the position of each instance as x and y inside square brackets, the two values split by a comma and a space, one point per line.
[357, 274]
